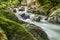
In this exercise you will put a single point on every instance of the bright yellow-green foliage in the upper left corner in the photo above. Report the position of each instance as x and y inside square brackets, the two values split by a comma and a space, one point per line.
[11, 2]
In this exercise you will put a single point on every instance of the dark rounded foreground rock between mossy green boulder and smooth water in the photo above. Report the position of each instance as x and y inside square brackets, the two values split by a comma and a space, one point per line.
[36, 31]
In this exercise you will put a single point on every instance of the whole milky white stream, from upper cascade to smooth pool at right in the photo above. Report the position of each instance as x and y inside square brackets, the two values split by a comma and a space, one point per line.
[52, 30]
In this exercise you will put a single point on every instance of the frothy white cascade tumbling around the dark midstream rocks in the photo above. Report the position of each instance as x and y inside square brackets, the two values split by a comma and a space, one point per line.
[19, 14]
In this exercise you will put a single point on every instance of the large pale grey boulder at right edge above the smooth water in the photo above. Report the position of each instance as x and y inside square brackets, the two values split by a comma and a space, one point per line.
[55, 16]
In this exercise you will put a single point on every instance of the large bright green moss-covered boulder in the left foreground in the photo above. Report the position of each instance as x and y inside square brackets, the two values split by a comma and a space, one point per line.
[15, 30]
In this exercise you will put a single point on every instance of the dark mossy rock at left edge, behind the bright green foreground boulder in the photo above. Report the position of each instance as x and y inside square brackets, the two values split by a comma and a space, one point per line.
[8, 14]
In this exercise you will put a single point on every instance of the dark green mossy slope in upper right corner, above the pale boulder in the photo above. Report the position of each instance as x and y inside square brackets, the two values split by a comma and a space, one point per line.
[49, 5]
